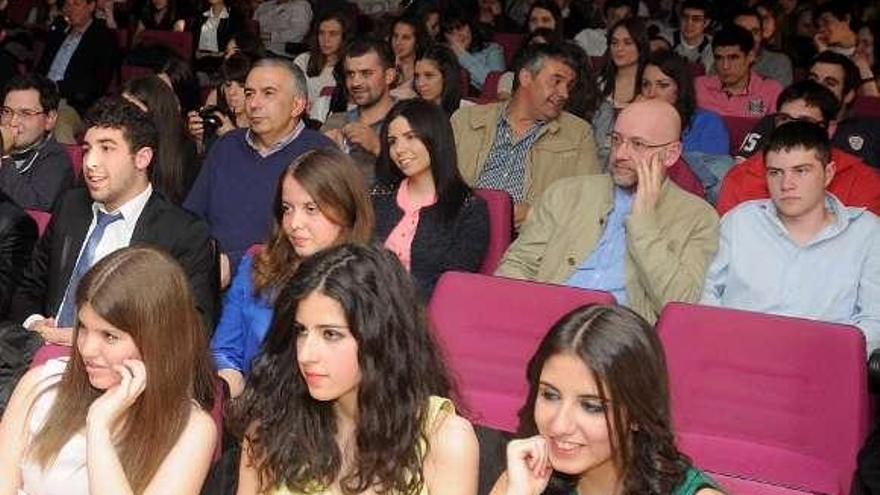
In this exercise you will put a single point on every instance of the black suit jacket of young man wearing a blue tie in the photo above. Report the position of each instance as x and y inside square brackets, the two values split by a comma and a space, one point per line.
[182, 234]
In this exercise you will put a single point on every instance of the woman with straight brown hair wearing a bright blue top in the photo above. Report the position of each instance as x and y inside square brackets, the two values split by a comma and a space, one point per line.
[321, 201]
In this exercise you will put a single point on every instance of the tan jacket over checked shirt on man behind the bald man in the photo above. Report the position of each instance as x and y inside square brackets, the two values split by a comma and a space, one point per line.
[565, 147]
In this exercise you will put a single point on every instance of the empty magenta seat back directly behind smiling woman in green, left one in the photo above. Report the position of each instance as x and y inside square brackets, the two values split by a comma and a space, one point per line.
[488, 328]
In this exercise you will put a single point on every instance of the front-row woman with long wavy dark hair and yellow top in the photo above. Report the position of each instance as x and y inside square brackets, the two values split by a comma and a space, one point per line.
[348, 393]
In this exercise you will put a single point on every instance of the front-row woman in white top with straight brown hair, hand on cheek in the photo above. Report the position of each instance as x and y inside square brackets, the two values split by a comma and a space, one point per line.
[126, 413]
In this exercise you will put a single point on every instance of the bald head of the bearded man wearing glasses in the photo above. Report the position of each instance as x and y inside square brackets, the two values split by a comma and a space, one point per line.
[645, 129]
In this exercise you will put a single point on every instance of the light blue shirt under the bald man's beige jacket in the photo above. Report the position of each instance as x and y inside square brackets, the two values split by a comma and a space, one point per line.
[605, 268]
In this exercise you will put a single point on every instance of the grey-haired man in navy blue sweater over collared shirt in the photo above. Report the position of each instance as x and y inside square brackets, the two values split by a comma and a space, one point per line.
[236, 185]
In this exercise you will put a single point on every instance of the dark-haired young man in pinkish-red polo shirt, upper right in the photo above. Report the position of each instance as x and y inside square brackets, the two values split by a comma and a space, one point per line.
[735, 89]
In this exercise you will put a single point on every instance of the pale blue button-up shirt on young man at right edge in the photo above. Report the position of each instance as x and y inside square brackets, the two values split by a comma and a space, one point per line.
[834, 277]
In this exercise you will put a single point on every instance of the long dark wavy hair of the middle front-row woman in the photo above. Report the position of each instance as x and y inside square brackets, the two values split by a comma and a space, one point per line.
[290, 435]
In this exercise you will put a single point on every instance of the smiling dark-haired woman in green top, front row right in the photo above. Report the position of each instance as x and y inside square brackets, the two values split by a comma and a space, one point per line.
[596, 421]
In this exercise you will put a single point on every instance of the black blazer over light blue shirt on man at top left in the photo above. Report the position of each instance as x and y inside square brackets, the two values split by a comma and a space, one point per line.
[91, 67]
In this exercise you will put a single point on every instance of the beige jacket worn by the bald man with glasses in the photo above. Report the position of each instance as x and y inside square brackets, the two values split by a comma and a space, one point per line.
[668, 251]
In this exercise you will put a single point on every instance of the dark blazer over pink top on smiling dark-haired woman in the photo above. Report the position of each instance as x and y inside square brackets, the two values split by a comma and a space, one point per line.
[438, 246]
